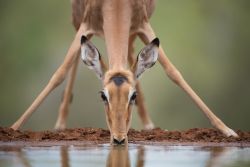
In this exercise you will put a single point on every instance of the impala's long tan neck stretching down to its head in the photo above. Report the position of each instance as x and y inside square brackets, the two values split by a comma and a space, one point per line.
[116, 27]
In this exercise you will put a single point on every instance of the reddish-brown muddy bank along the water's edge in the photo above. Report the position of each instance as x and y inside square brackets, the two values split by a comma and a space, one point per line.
[196, 135]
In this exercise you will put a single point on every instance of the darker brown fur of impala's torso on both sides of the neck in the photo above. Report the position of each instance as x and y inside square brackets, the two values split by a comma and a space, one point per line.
[90, 12]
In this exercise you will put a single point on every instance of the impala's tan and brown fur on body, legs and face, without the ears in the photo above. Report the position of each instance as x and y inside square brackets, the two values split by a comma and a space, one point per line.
[118, 21]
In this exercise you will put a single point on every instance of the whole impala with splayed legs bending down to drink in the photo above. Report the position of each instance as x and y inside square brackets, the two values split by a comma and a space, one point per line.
[119, 22]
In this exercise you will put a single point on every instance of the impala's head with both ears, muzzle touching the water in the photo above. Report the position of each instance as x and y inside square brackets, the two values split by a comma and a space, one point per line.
[118, 92]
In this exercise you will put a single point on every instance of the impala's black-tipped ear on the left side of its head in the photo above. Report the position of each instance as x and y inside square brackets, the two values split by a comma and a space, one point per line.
[91, 57]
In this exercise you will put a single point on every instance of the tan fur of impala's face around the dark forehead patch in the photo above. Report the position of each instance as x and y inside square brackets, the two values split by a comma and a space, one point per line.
[118, 110]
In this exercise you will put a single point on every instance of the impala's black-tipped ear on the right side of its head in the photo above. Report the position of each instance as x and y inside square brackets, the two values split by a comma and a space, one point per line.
[146, 58]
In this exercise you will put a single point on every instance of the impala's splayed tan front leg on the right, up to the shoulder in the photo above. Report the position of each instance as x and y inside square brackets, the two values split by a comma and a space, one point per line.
[147, 34]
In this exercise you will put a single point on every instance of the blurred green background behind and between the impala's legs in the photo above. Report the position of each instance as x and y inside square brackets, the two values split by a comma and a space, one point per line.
[208, 41]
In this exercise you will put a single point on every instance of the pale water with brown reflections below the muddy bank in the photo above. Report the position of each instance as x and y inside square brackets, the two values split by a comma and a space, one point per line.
[131, 156]
